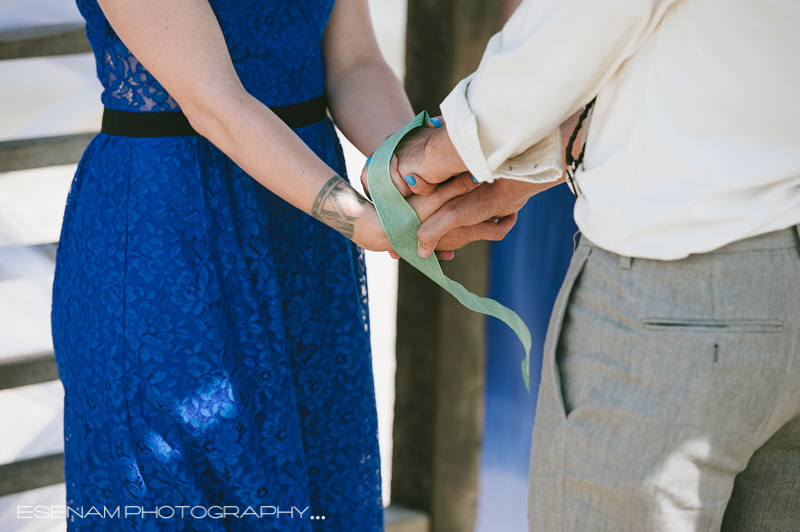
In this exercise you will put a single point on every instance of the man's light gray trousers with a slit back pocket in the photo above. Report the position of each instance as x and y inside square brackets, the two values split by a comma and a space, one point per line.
[670, 394]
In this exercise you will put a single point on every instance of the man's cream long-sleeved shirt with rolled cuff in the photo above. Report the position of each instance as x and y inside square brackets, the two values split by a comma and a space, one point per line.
[695, 137]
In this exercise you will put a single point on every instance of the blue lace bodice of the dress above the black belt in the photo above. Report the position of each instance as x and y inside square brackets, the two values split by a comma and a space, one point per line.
[275, 47]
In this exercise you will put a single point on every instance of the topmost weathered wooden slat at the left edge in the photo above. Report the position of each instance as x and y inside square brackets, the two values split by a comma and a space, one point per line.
[40, 41]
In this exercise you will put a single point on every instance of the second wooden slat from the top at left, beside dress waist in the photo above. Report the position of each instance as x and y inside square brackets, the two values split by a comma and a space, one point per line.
[40, 152]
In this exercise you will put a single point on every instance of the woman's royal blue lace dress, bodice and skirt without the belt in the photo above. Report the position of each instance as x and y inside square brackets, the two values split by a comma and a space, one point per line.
[213, 341]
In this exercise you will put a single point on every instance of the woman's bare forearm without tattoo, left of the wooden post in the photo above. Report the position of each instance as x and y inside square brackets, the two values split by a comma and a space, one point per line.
[365, 98]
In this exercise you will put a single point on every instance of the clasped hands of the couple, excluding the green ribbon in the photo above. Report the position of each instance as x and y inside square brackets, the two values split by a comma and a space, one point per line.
[454, 209]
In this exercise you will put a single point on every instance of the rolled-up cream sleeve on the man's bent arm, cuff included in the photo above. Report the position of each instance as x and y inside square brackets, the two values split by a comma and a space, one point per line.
[550, 59]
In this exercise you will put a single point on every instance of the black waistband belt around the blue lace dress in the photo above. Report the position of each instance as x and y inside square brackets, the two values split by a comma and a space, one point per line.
[175, 123]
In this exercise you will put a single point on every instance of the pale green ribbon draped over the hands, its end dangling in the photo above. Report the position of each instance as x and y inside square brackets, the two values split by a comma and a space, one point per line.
[401, 223]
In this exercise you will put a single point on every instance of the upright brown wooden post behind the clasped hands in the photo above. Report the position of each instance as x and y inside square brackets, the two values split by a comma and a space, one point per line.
[440, 344]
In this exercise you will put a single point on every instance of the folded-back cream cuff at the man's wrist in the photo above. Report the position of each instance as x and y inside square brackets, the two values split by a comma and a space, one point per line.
[540, 163]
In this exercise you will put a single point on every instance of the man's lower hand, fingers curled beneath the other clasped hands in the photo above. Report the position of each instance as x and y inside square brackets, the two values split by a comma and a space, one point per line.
[486, 213]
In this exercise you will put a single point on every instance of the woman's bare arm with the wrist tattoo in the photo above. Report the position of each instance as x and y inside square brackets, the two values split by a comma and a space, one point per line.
[181, 44]
